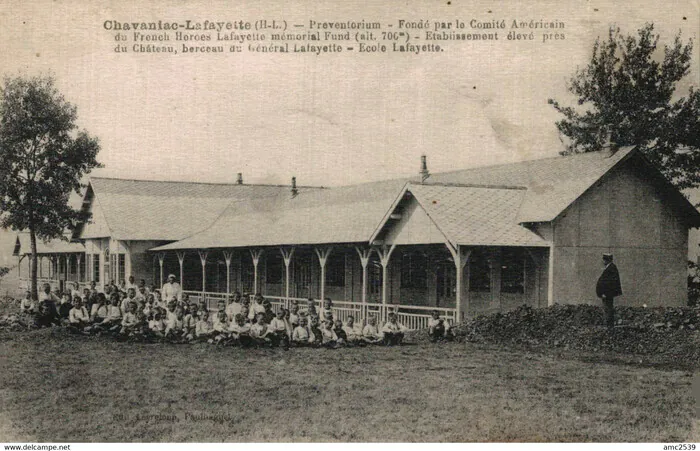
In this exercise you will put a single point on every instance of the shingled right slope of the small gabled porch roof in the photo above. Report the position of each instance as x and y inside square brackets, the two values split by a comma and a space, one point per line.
[478, 216]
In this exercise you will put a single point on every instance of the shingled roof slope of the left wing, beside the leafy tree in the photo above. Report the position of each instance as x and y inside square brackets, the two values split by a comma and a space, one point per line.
[159, 210]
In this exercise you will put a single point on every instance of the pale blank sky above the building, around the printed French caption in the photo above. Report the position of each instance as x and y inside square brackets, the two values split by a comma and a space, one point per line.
[328, 120]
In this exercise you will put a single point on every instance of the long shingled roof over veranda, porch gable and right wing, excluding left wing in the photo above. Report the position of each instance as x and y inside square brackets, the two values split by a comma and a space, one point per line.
[477, 206]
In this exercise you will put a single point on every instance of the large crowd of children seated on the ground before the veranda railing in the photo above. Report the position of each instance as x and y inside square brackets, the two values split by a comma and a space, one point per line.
[141, 314]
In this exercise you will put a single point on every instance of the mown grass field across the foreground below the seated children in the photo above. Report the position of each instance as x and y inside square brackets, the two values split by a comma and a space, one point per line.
[57, 387]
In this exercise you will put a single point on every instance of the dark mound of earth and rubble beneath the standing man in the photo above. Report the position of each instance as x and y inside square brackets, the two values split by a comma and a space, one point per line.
[670, 332]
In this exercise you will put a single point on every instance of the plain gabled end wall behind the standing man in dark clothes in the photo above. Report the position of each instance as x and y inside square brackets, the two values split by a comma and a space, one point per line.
[625, 215]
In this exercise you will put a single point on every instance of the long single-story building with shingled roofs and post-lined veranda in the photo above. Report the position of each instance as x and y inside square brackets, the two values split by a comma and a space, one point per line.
[464, 242]
